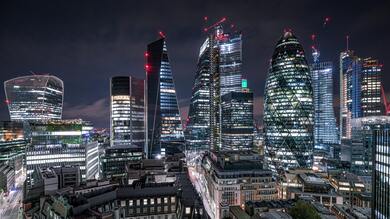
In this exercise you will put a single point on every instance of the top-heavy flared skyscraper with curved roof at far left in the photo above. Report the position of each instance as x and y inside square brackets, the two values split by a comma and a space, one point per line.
[34, 97]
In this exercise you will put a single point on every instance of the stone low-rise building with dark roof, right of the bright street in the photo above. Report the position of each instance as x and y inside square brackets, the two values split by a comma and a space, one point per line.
[235, 177]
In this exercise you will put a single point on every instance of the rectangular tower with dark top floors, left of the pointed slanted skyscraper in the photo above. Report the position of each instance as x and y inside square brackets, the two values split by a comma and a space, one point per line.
[127, 111]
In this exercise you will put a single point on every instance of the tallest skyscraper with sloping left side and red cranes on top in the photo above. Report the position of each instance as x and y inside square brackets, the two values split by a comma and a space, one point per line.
[218, 73]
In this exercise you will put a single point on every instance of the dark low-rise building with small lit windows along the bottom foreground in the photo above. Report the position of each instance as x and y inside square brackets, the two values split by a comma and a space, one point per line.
[140, 200]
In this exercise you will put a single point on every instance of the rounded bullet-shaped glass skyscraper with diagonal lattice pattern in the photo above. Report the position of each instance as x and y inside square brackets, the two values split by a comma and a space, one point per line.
[288, 107]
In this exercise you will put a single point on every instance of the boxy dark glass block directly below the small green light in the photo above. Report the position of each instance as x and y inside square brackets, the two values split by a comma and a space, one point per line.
[237, 121]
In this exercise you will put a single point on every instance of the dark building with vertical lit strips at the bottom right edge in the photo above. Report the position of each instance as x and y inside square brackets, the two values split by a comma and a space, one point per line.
[381, 172]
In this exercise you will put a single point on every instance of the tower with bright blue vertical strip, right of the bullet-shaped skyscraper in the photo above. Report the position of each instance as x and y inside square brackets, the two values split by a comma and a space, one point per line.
[360, 90]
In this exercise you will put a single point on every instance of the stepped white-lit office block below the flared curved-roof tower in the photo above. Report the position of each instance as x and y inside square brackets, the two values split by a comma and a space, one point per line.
[59, 143]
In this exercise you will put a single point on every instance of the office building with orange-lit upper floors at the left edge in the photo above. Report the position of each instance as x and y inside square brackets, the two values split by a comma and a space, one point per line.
[13, 141]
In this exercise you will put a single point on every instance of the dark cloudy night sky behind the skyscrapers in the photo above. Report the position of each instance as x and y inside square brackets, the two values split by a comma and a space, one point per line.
[86, 42]
